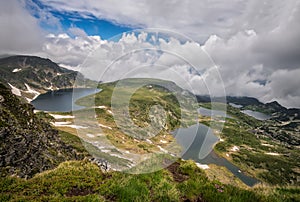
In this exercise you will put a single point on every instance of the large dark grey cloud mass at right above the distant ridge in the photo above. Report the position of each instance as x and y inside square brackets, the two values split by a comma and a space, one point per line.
[264, 60]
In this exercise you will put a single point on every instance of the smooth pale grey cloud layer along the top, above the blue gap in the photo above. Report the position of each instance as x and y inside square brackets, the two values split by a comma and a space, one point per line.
[195, 18]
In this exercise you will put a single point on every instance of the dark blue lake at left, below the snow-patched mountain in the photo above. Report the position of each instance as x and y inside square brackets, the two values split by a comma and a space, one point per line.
[62, 100]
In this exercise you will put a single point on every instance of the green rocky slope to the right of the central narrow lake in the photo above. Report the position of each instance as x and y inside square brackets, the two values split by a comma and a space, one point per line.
[252, 156]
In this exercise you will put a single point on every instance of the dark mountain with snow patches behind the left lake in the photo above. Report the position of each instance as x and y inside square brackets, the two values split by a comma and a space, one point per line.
[28, 76]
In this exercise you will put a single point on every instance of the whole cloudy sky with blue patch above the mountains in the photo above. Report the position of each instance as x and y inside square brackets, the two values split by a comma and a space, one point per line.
[254, 45]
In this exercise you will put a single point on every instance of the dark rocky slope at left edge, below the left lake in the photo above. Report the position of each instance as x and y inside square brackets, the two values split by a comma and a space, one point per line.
[28, 145]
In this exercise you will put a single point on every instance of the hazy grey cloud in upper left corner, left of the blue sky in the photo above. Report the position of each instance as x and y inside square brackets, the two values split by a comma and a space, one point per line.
[20, 31]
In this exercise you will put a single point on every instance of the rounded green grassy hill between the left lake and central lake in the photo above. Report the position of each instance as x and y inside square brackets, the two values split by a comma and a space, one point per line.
[142, 102]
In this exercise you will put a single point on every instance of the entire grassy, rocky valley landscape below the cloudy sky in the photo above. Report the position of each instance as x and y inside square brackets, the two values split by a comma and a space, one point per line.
[265, 150]
